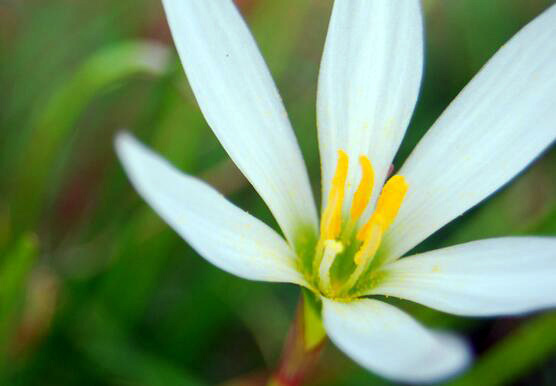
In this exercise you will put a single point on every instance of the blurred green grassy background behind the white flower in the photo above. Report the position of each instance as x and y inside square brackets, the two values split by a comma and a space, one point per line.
[96, 290]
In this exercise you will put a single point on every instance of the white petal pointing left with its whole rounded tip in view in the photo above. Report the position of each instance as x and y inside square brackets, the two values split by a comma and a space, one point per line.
[222, 233]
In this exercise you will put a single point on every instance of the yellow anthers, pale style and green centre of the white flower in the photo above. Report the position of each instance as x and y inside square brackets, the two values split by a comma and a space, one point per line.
[342, 239]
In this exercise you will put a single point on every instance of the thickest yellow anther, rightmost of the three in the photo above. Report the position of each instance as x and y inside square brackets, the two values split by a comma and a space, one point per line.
[388, 205]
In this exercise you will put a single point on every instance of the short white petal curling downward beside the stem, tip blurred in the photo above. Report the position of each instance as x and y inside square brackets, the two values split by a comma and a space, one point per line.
[387, 341]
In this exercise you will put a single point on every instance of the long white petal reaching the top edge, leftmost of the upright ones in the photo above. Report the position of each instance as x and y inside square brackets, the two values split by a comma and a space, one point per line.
[240, 102]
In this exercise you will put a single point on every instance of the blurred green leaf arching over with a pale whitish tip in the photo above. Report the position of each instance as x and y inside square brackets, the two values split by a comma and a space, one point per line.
[52, 126]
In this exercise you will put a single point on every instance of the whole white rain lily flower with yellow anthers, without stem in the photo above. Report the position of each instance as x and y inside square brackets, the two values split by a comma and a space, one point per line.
[368, 85]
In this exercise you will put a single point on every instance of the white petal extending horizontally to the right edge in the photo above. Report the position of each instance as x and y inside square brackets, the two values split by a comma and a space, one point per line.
[481, 278]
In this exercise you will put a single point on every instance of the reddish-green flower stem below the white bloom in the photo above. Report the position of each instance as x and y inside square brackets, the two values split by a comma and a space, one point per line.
[303, 346]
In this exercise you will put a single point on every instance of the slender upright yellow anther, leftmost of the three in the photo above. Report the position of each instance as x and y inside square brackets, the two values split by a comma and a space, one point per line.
[331, 222]
